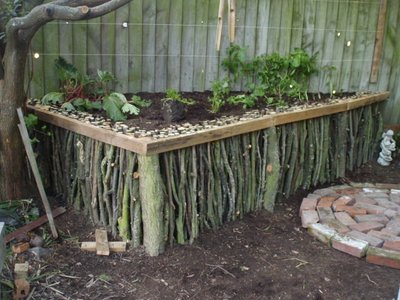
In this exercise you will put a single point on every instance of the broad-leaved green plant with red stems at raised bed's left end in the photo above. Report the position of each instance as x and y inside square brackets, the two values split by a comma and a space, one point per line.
[80, 92]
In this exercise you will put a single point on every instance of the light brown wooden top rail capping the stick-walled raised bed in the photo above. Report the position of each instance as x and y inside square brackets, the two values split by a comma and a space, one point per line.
[148, 146]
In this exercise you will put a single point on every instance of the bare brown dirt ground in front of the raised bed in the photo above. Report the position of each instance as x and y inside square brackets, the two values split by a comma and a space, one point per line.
[263, 256]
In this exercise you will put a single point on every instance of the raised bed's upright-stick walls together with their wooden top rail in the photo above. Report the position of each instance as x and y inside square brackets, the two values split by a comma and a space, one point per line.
[152, 190]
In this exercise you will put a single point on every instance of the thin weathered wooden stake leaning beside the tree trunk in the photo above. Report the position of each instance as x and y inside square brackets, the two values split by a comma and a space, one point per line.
[35, 170]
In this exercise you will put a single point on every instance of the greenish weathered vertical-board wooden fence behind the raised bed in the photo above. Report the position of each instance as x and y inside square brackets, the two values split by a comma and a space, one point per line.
[152, 45]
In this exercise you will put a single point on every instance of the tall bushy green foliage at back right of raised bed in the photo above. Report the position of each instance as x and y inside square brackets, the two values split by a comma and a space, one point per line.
[270, 76]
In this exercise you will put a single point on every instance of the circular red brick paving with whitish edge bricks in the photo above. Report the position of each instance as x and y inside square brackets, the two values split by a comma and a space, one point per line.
[358, 221]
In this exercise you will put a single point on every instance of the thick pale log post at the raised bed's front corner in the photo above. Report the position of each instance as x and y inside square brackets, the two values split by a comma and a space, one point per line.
[152, 200]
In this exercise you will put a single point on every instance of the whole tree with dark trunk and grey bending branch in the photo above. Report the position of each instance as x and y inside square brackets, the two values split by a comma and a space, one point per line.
[14, 182]
